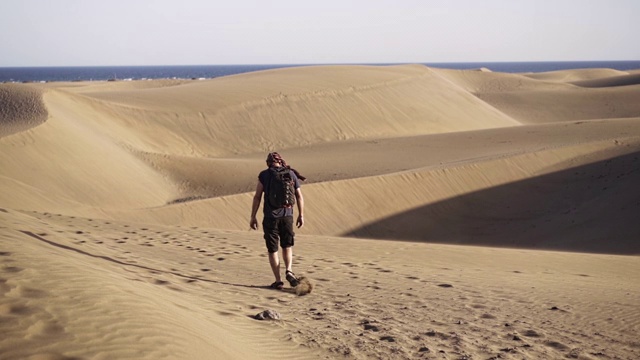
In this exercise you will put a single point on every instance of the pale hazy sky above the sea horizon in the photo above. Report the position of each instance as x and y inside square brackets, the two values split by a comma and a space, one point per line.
[202, 32]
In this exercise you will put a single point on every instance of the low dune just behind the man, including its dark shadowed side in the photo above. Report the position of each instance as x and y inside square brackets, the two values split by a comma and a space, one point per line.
[374, 202]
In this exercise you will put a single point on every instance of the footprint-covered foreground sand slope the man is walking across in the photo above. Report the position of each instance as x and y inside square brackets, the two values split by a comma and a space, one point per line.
[89, 288]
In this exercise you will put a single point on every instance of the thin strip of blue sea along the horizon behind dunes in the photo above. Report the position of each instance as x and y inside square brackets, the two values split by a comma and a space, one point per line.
[101, 73]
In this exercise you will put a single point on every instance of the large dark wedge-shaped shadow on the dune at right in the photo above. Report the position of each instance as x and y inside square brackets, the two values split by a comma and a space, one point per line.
[591, 208]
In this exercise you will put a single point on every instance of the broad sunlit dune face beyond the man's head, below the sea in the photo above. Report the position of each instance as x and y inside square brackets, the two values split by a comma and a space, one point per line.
[203, 118]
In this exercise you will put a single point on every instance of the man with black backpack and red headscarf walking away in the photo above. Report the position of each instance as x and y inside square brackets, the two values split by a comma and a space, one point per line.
[278, 221]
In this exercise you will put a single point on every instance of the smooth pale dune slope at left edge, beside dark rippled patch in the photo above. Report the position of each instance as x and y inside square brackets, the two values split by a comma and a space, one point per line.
[71, 164]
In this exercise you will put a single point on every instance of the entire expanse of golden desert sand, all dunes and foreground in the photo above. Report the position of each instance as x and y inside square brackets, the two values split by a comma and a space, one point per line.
[449, 215]
